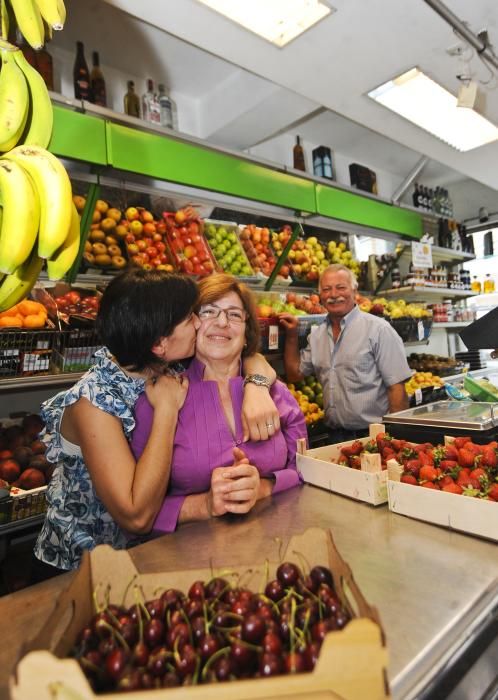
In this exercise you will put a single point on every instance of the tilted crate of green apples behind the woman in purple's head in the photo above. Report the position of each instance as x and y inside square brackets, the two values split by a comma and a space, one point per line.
[224, 243]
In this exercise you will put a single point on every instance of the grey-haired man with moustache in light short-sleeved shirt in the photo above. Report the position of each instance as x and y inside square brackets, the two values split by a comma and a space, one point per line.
[358, 358]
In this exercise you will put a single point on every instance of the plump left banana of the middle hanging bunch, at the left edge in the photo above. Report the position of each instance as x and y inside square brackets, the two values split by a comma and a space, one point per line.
[14, 101]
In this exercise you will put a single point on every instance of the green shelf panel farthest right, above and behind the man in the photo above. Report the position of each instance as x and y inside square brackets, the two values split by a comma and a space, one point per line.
[351, 207]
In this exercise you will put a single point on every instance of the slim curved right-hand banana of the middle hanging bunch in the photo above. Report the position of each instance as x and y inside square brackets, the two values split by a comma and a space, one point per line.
[41, 115]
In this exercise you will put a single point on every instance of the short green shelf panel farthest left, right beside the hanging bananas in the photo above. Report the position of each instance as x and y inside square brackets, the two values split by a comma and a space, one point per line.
[78, 136]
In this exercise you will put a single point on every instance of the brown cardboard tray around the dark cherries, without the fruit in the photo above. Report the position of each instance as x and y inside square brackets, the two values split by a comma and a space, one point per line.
[352, 661]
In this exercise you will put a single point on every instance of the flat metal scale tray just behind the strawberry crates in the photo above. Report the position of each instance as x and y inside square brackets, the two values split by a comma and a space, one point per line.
[450, 414]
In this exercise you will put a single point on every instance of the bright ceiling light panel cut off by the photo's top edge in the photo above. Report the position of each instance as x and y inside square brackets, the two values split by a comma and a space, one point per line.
[278, 21]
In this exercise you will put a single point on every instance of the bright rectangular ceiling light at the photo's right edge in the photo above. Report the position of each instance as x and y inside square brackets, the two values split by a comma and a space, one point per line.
[416, 97]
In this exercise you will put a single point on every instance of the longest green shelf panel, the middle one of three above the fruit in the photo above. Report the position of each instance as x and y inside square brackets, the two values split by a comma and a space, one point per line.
[167, 159]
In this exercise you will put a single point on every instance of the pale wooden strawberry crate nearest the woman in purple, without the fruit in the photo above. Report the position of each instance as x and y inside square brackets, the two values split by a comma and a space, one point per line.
[318, 468]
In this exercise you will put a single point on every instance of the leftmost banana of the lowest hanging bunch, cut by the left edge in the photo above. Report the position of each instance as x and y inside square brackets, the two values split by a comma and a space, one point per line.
[21, 215]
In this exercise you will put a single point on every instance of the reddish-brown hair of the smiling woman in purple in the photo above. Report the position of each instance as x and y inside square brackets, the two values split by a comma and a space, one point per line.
[216, 286]
